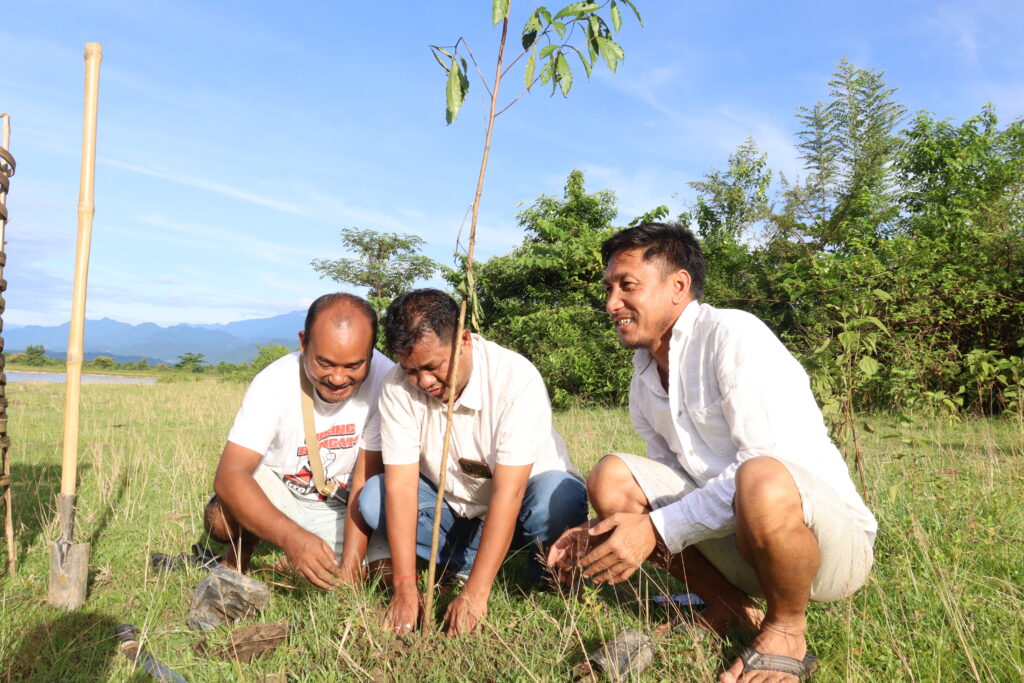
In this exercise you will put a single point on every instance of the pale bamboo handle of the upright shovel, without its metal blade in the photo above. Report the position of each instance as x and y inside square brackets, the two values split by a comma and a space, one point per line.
[69, 464]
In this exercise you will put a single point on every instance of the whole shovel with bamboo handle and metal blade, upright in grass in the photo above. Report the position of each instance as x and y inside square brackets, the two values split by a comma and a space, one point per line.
[70, 561]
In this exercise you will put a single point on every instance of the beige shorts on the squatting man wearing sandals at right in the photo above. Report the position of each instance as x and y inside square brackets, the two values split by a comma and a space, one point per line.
[845, 546]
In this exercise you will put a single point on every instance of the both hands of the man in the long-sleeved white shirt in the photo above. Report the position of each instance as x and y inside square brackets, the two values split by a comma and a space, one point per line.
[612, 549]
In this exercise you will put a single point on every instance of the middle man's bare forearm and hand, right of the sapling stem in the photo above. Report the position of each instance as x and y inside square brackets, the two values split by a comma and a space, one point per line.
[468, 611]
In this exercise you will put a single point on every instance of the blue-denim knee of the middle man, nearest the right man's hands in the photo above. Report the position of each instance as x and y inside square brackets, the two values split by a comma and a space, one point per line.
[553, 502]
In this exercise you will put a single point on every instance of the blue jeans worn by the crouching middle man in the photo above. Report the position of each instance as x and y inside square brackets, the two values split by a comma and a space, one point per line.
[553, 502]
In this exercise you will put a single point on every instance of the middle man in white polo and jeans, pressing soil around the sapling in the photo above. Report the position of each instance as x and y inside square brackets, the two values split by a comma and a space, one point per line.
[509, 482]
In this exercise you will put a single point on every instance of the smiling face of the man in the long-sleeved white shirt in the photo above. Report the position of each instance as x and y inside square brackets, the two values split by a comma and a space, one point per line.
[644, 302]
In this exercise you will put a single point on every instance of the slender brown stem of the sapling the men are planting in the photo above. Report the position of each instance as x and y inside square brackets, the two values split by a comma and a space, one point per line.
[457, 343]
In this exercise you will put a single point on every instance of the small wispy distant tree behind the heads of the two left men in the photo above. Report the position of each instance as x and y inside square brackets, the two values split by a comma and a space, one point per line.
[387, 264]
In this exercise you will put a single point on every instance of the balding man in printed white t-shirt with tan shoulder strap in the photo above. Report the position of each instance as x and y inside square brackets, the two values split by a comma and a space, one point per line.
[265, 484]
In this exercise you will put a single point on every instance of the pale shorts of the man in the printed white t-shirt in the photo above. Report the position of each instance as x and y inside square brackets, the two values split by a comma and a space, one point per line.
[324, 520]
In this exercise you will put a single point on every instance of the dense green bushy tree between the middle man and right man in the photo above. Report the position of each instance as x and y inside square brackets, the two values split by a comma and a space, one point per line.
[546, 300]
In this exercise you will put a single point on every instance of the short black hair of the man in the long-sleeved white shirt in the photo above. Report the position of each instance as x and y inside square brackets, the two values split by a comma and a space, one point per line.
[674, 246]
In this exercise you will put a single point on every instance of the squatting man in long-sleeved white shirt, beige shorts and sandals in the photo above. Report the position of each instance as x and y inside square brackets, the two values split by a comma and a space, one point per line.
[743, 493]
